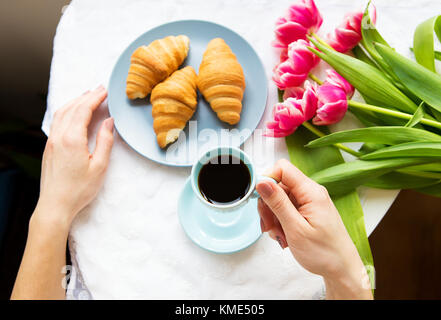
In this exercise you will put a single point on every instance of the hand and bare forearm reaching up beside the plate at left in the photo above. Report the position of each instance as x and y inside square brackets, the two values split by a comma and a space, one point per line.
[70, 179]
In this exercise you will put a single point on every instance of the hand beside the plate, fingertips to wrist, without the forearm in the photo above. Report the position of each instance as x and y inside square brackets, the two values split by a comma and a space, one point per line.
[71, 176]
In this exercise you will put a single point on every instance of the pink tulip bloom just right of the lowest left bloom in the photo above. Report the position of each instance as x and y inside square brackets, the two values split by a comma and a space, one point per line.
[332, 105]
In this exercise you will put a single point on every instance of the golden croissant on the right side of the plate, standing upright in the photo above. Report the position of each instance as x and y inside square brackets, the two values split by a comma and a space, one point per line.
[221, 81]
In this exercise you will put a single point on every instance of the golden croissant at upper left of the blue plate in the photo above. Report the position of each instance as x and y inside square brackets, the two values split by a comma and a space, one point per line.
[151, 64]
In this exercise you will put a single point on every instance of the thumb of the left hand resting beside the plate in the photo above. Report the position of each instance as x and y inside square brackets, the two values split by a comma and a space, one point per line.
[104, 143]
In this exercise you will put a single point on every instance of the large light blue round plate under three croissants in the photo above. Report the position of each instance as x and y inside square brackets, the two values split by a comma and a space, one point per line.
[133, 119]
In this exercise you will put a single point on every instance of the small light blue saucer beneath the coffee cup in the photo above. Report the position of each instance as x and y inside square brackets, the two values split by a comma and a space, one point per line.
[218, 231]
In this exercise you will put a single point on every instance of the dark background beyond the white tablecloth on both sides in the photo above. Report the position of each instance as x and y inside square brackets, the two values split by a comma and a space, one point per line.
[406, 245]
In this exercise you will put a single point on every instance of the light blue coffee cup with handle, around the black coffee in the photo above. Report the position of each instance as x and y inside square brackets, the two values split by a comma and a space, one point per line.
[237, 153]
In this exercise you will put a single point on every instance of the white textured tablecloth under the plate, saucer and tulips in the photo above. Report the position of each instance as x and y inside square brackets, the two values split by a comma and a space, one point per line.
[128, 242]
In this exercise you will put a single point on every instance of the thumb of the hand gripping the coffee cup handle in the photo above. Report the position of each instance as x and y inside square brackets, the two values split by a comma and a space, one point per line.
[280, 204]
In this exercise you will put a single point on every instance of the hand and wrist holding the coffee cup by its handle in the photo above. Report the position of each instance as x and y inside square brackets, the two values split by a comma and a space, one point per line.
[299, 214]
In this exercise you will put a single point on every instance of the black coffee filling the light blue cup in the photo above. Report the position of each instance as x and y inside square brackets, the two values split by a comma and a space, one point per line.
[224, 180]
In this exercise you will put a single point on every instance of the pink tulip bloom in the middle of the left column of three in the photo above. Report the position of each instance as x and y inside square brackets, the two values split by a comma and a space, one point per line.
[294, 70]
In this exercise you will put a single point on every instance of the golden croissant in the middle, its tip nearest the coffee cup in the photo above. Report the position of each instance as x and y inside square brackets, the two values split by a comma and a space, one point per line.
[174, 102]
